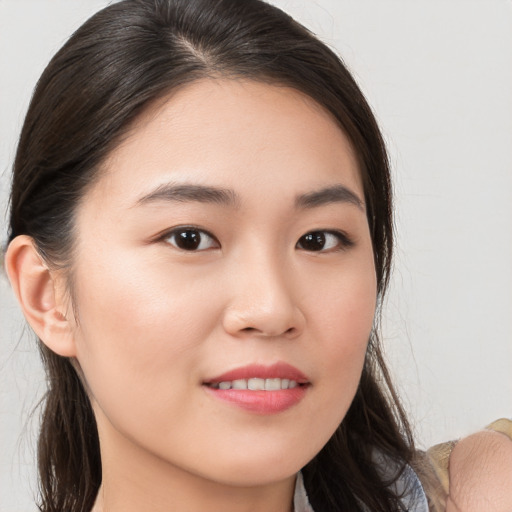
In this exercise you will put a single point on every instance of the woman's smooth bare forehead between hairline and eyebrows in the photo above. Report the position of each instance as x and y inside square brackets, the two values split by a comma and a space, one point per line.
[237, 133]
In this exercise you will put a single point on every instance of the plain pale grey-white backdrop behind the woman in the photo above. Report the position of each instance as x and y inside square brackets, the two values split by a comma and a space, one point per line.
[439, 77]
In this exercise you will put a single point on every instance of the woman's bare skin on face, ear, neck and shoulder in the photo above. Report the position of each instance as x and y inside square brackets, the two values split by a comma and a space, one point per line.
[153, 321]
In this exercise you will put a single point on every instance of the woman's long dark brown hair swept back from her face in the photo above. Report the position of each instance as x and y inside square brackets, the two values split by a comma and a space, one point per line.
[123, 58]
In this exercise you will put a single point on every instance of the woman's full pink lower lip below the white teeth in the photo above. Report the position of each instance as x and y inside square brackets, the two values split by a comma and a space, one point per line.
[260, 402]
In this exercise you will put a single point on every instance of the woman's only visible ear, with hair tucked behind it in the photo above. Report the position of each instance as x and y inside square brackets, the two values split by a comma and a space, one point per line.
[41, 295]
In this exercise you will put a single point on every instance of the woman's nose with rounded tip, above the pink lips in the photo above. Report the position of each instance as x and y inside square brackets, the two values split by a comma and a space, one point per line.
[263, 300]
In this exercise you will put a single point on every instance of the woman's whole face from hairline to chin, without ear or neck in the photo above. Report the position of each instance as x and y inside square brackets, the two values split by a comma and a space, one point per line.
[224, 245]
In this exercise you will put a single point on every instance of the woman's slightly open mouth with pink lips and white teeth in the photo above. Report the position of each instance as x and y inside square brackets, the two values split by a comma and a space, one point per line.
[260, 389]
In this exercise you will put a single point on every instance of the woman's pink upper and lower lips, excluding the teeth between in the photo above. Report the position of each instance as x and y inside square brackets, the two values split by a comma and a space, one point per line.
[261, 402]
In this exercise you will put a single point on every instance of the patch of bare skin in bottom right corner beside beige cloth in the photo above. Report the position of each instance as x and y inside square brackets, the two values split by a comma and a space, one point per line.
[480, 473]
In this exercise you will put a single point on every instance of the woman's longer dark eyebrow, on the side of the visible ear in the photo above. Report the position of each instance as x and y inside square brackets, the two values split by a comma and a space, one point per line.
[189, 192]
